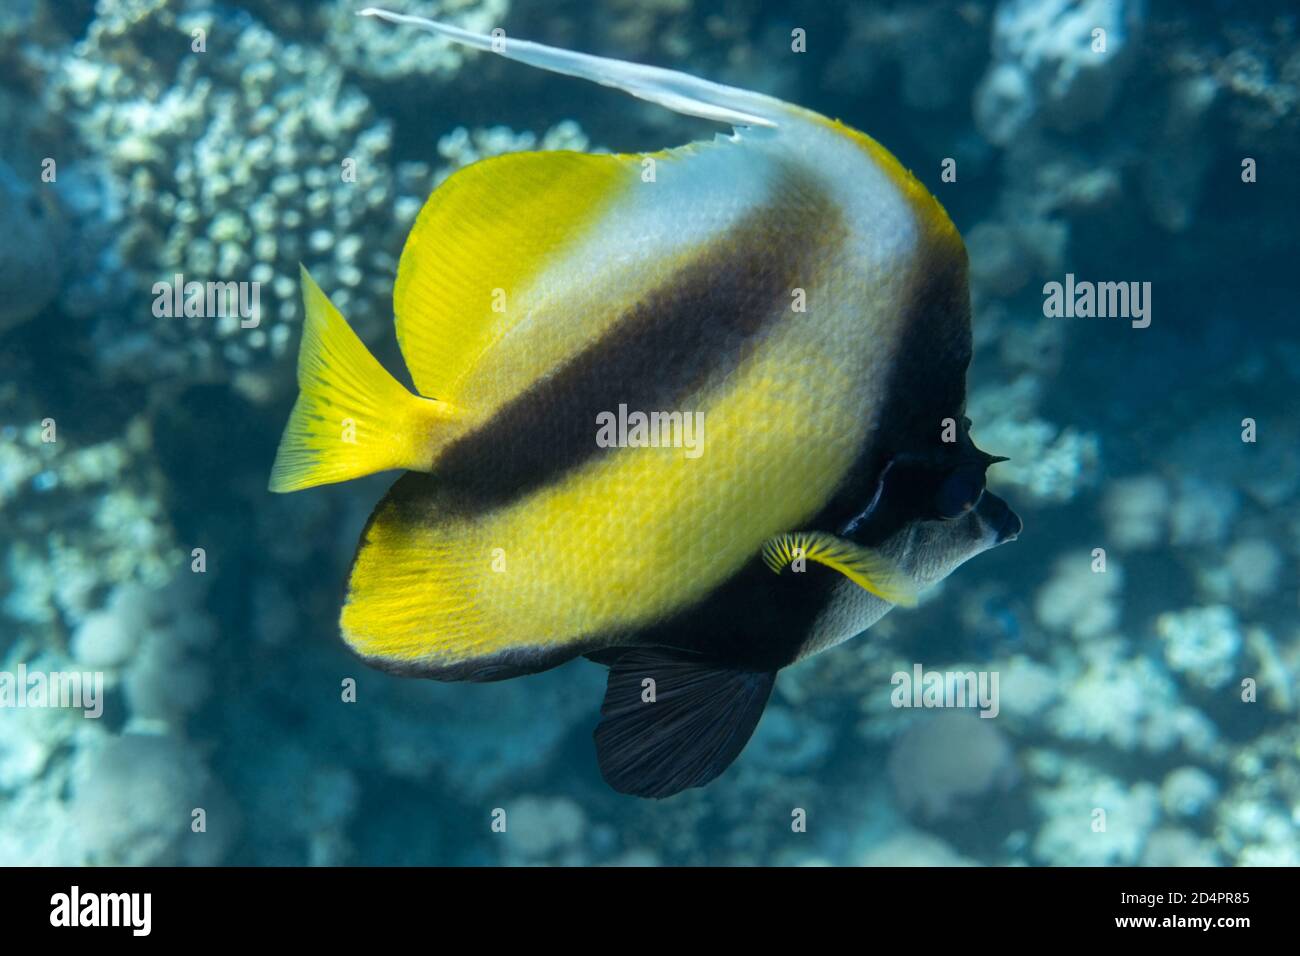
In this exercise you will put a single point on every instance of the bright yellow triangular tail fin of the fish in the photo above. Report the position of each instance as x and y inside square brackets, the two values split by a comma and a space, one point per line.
[352, 417]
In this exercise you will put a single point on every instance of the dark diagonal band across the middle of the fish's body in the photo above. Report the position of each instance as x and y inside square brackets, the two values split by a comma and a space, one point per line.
[677, 341]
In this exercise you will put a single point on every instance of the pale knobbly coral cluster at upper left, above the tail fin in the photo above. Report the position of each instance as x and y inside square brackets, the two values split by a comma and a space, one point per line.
[235, 161]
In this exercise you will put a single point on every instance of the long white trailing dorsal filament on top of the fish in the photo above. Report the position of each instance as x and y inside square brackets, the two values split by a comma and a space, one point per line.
[678, 92]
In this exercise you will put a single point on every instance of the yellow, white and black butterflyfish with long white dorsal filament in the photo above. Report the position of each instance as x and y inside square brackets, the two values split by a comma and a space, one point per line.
[788, 288]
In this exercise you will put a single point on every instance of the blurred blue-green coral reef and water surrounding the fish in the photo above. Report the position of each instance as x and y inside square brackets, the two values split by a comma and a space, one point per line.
[138, 539]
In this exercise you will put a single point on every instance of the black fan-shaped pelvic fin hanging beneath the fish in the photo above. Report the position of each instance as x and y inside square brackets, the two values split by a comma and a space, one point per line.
[681, 732]
